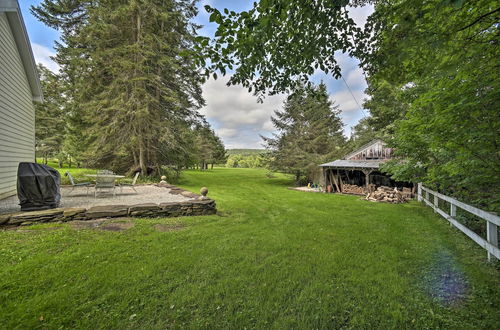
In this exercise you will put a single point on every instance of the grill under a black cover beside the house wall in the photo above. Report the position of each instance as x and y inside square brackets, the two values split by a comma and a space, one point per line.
[38, 187]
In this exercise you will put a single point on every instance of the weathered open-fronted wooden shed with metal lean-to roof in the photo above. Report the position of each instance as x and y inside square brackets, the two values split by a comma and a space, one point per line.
[360, 169]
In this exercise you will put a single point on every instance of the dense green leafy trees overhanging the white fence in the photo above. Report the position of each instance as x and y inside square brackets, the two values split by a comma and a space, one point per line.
[434, 86]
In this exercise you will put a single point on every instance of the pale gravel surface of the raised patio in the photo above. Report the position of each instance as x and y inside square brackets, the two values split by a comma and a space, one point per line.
[78, 198]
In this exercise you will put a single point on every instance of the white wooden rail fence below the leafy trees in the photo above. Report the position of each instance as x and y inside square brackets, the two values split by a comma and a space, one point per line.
[492, 221]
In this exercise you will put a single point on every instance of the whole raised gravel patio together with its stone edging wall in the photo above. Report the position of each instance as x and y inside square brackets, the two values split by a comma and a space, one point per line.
[149, 201]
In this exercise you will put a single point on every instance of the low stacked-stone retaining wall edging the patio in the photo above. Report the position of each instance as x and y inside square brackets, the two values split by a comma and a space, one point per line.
[176, 209]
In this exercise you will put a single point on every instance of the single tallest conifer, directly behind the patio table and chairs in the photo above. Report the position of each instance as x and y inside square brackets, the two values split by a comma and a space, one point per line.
[132, 78]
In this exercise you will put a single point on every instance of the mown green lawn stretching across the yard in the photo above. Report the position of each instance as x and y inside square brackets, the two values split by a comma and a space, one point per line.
[272, 258]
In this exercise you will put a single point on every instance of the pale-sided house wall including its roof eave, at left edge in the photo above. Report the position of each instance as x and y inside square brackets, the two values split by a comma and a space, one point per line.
[19, 88]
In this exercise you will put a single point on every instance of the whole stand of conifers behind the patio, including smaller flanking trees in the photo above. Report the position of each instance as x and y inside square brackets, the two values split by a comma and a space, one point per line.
[128, 89]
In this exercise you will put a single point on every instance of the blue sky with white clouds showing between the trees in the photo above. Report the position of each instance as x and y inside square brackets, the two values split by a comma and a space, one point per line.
[233, 112]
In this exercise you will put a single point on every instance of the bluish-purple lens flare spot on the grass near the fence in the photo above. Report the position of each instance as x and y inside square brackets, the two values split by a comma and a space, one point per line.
[445, 281]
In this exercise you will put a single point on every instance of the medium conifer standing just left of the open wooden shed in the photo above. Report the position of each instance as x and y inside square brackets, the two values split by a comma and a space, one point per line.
[309, 133]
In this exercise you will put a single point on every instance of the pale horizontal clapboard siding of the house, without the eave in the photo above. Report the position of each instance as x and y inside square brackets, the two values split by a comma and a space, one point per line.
[17, 112]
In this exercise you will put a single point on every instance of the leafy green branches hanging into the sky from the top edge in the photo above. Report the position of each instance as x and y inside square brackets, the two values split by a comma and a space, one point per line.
[277, 44]
